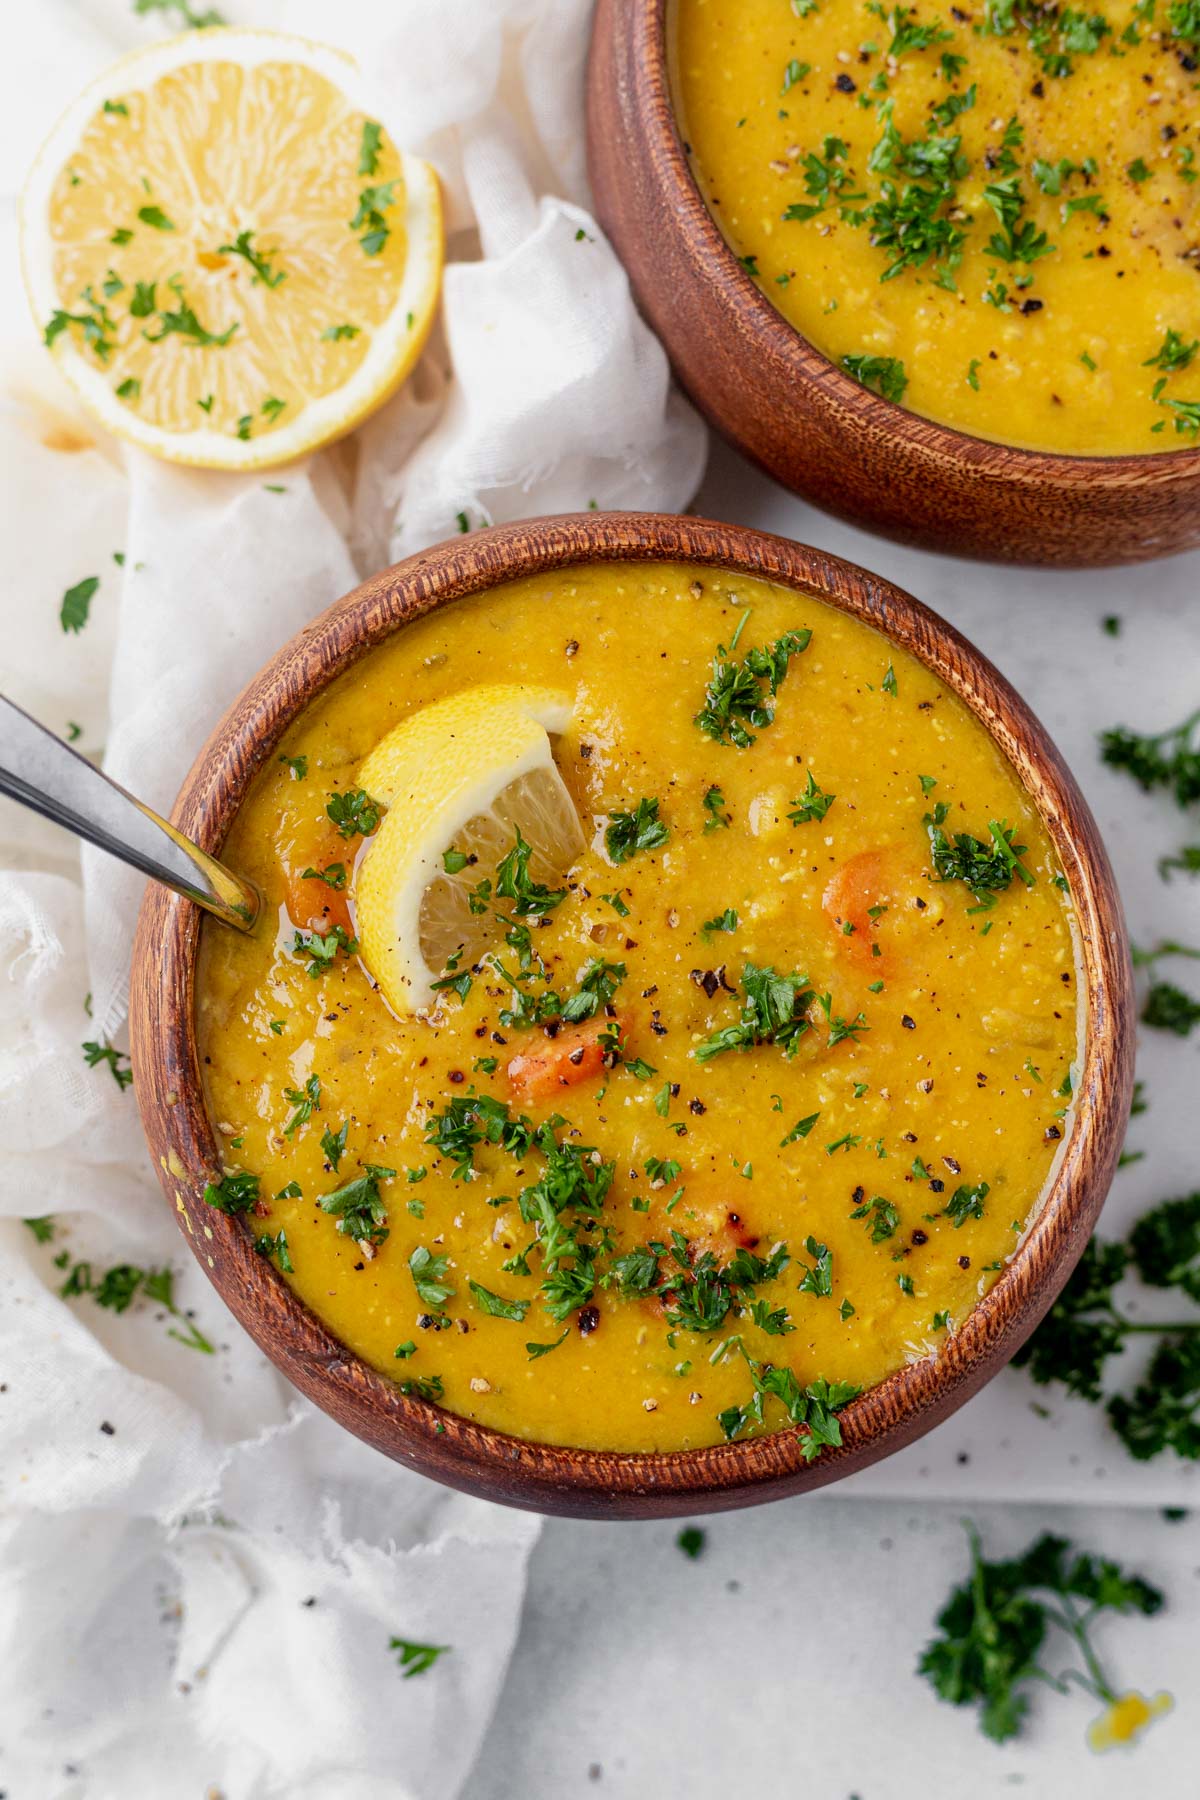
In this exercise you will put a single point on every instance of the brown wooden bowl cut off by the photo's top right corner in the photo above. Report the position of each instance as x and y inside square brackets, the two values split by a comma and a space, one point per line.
[805, 420]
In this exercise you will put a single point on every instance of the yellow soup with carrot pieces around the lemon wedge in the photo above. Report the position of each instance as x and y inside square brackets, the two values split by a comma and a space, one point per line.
[816, 1090]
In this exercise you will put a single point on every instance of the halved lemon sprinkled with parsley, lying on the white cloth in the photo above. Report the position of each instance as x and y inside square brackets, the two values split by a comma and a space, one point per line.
[226, 253]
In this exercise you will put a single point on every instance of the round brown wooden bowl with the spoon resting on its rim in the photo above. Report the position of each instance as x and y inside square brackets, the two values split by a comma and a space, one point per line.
[604, 1484]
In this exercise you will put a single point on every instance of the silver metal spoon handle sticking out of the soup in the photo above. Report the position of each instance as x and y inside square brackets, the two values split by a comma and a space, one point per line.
[48, 777]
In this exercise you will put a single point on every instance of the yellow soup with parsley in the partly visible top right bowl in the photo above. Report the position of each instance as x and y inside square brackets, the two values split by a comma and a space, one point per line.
[985, 211]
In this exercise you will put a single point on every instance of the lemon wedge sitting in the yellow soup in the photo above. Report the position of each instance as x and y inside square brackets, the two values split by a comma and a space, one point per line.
[463, 775]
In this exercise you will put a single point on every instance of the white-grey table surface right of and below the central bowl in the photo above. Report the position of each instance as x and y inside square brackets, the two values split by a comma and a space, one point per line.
[782, 1662]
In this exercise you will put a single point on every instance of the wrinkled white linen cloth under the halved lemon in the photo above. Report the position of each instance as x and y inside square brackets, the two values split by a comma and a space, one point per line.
[201, 1574]
